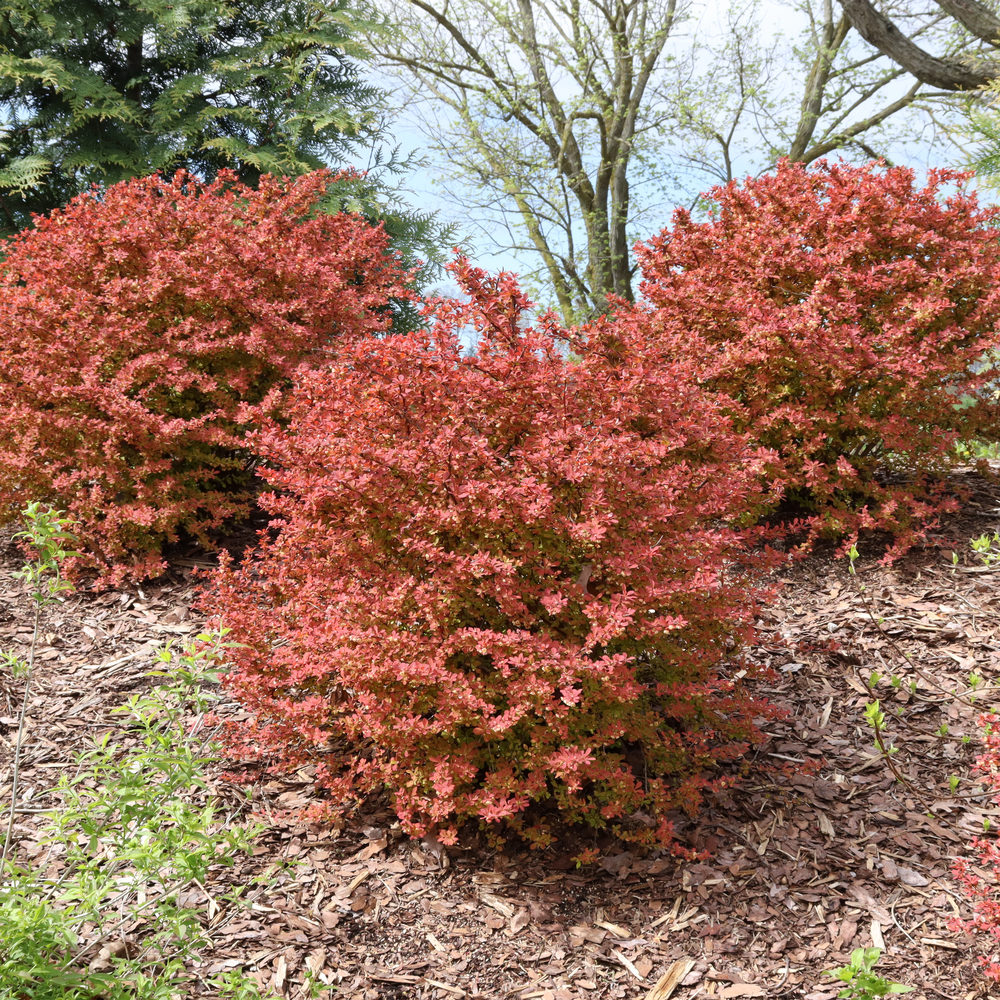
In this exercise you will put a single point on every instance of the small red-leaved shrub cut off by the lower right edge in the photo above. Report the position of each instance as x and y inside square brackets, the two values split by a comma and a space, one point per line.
[979, 881]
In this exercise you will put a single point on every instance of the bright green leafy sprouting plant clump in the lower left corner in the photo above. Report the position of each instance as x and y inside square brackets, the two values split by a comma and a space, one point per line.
[104, 909]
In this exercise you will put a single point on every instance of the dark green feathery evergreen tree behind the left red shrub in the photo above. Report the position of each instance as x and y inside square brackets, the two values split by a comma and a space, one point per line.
[105, 90]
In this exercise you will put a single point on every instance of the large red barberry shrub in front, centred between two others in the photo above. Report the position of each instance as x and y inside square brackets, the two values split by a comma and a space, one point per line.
[500, 581]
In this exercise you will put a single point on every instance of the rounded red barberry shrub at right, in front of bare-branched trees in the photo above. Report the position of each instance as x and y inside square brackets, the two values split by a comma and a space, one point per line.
[852, 317]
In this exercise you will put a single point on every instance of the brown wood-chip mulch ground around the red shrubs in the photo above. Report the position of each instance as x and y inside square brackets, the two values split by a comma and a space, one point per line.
[800, 869]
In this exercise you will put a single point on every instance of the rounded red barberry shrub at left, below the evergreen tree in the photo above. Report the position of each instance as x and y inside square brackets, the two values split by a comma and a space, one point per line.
[139, 322]
